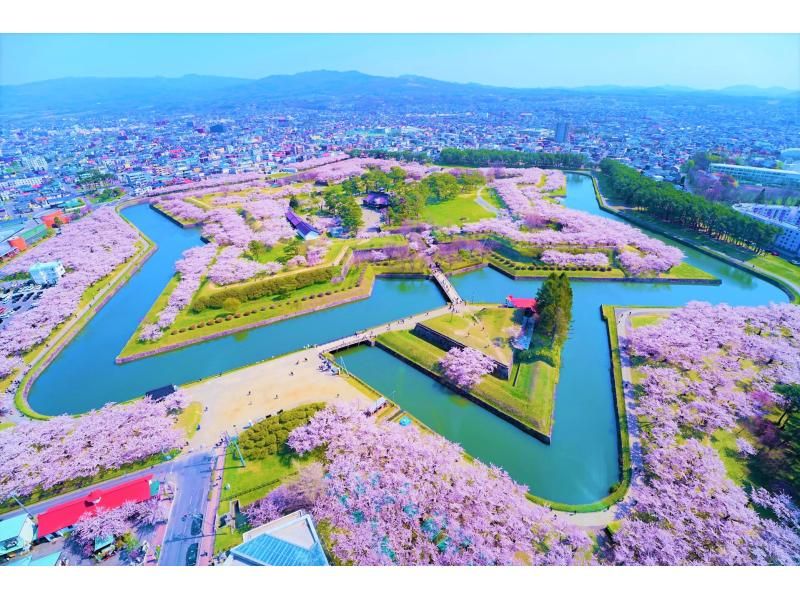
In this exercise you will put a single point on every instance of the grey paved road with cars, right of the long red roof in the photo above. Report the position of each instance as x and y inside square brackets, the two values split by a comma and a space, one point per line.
[191, 477]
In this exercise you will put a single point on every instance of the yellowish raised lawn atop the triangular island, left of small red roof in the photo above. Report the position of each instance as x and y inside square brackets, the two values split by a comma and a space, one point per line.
[489, 330]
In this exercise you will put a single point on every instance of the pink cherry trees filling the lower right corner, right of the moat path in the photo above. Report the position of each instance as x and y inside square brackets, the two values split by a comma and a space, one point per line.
[710, 367]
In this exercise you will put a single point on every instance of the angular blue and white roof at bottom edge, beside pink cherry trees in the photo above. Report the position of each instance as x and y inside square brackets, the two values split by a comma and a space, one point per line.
[290, 541]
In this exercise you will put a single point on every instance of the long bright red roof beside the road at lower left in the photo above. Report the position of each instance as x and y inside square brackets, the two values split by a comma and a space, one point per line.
[68, 513]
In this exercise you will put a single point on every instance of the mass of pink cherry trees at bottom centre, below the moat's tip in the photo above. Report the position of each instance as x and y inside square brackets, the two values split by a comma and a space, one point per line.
[395, 495]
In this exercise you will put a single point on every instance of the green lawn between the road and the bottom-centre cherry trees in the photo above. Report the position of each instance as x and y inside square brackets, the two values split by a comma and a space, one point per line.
[249, 483]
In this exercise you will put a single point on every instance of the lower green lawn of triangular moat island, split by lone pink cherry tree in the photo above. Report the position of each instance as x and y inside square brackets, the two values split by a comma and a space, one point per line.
[518, 400]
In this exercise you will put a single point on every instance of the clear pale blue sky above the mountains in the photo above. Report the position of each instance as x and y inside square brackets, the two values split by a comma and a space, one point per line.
[538, 60]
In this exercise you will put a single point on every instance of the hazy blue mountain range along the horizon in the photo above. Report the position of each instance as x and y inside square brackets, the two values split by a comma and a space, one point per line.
[315, 89]
